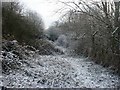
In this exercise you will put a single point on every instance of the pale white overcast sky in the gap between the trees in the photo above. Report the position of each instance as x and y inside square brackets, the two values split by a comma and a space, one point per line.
[46, 8]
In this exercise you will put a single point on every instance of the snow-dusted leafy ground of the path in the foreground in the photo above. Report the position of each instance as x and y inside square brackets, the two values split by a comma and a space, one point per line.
[61, 71]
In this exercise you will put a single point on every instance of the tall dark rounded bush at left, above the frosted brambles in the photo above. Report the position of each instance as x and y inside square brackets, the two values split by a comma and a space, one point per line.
[20, 25]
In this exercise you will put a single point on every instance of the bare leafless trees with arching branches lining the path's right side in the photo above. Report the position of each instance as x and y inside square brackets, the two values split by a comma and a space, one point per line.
[97, 26]
